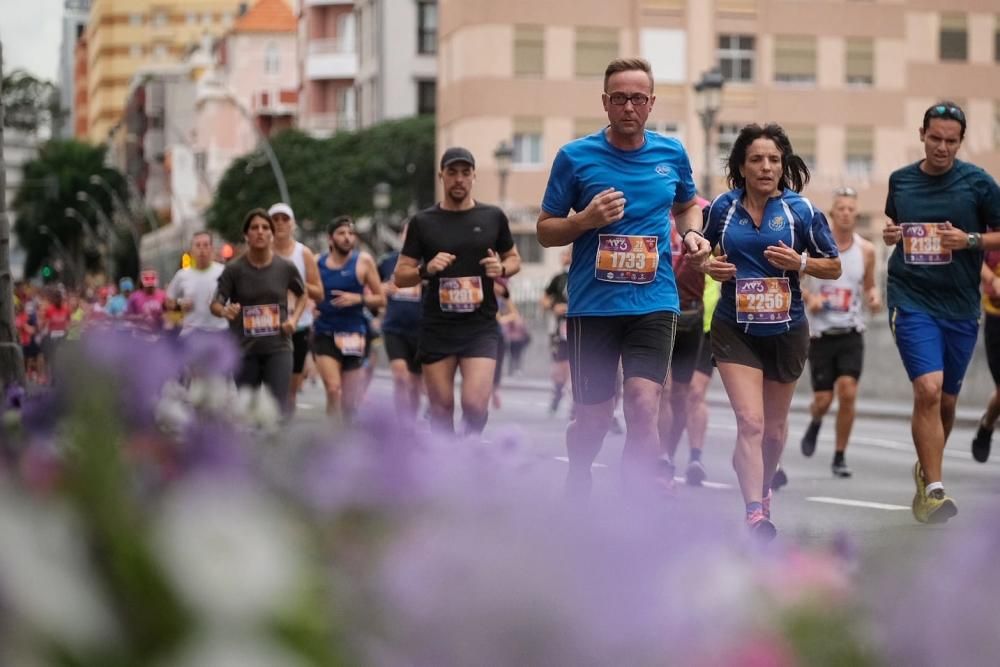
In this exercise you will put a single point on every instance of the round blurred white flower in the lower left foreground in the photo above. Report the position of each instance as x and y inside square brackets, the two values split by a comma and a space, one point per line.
[232, 552]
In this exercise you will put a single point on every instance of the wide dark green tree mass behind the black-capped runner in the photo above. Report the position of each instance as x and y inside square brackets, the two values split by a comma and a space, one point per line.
[328, 177]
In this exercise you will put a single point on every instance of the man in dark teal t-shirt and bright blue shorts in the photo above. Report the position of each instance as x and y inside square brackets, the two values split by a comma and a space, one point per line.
[941, 210]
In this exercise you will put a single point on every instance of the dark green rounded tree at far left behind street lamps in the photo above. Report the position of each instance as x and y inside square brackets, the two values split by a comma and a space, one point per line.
[51, 183]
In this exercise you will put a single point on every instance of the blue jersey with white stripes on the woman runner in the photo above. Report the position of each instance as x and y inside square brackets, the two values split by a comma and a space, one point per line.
[789, 217]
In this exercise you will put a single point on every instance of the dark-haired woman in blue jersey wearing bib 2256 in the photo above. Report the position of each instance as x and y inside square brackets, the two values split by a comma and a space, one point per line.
[766, 233]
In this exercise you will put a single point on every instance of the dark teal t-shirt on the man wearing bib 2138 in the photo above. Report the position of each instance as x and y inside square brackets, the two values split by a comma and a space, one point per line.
[968, 198]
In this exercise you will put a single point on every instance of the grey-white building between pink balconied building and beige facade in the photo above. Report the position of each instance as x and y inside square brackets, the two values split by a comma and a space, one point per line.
[397, 59]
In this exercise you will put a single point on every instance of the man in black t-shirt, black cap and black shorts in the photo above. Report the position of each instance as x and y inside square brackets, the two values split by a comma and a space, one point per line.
[458, 246]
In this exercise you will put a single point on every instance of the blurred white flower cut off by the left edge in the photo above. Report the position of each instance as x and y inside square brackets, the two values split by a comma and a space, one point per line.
[45, 578]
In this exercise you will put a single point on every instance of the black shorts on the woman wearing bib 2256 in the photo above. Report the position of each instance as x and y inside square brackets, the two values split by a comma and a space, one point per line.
[781, 357]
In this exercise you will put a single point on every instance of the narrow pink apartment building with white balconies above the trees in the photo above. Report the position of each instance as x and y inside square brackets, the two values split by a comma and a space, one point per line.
[328, 65]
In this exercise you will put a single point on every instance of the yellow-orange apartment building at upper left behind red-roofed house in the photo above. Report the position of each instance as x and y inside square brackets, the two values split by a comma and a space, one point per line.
[124, 36]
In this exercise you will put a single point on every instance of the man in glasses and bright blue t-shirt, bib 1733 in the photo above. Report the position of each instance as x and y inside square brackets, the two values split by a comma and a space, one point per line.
[611, 195]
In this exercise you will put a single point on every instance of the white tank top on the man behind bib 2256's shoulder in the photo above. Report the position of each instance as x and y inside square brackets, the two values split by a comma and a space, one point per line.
[842, 296]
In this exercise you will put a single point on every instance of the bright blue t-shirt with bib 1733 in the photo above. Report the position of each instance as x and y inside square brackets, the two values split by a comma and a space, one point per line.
[652, 179]
